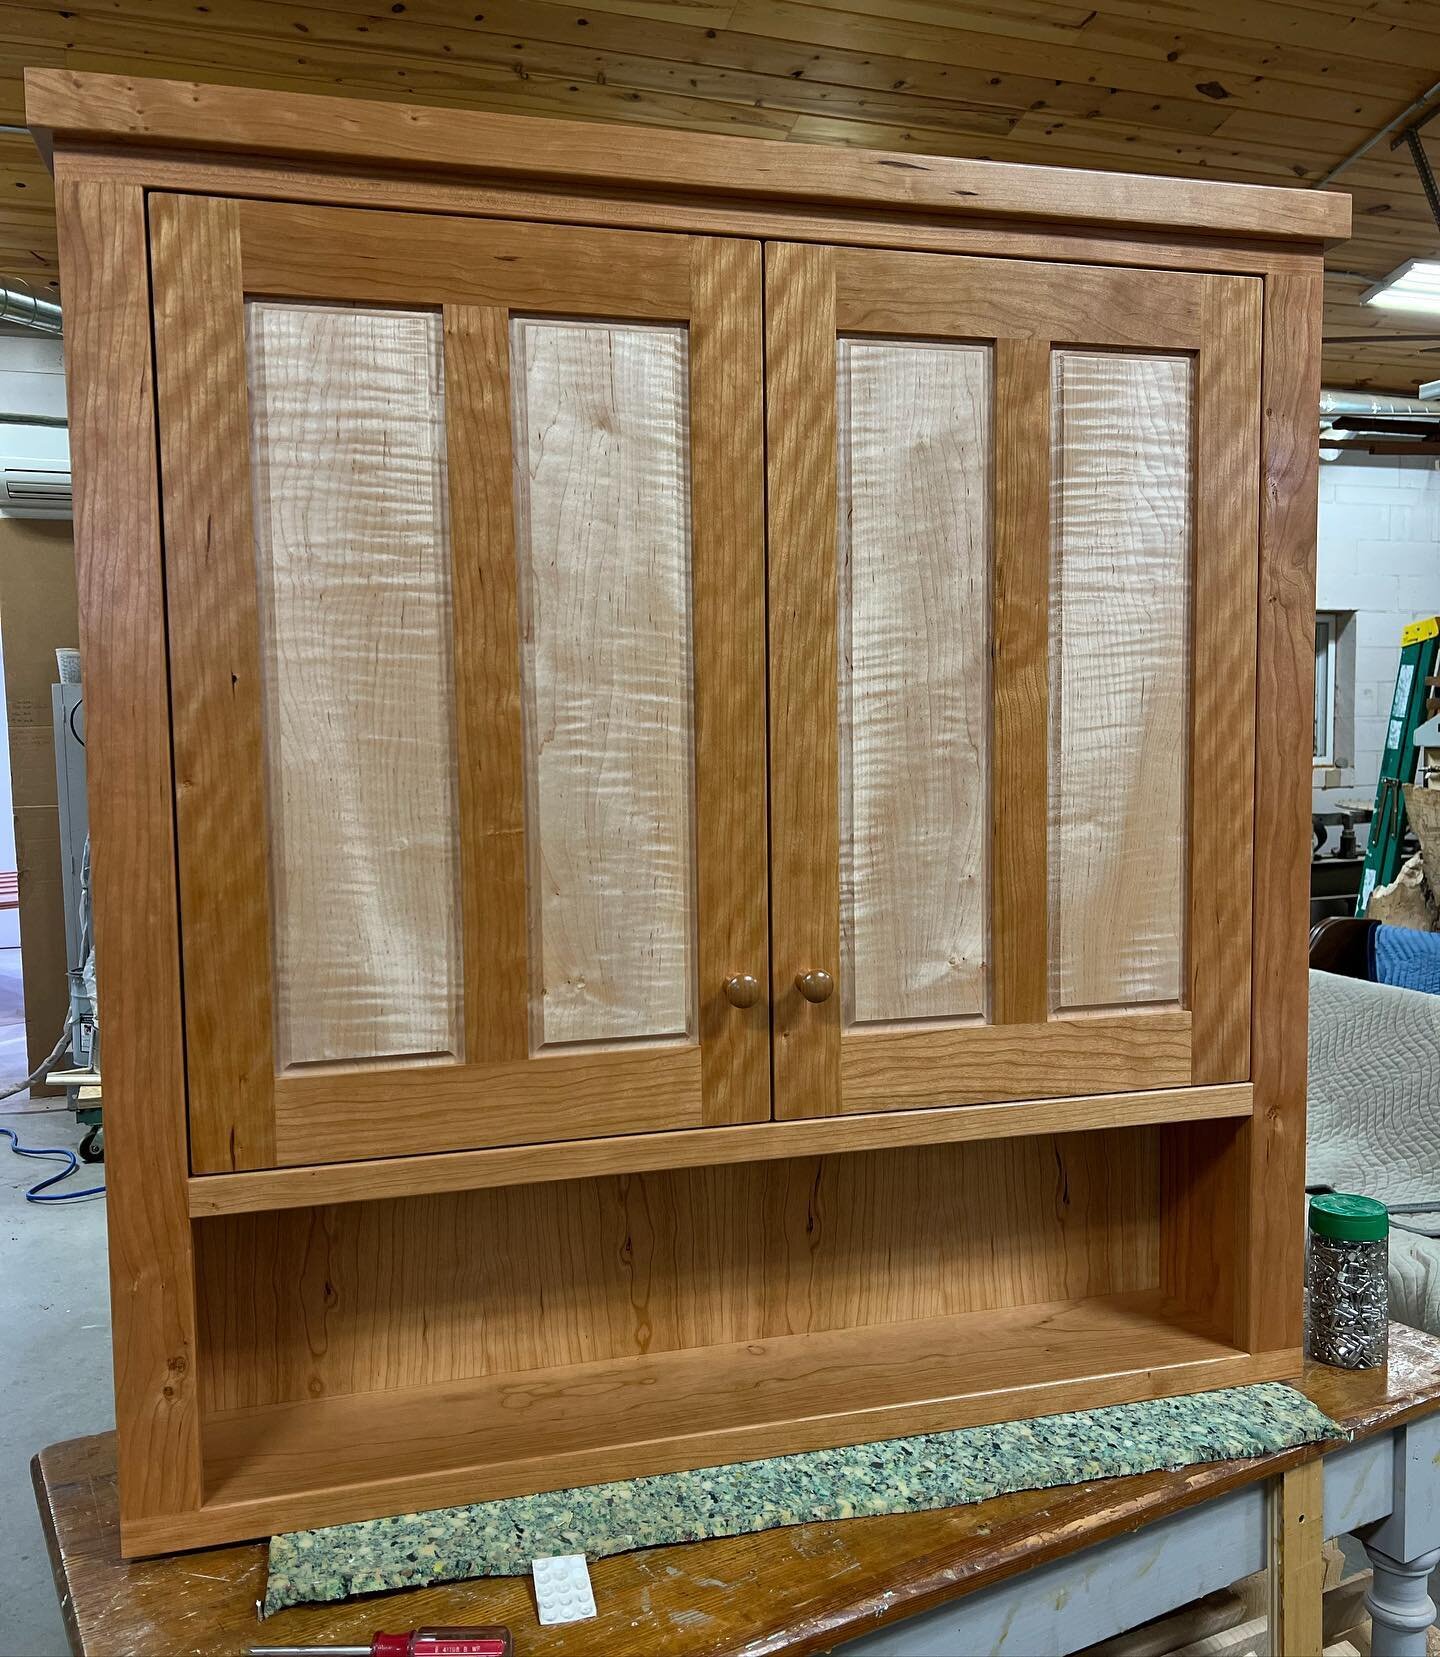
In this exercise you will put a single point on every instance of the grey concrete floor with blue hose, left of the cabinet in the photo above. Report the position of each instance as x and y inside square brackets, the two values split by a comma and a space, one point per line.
[54, 1348]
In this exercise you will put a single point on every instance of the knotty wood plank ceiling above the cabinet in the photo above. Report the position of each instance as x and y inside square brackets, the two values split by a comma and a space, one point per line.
[1270, 92]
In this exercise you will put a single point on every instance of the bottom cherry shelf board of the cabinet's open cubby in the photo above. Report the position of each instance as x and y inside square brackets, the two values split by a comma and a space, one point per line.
[336, 1459]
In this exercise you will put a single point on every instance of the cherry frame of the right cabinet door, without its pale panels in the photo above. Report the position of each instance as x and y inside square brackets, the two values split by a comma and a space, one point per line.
[1022, 316]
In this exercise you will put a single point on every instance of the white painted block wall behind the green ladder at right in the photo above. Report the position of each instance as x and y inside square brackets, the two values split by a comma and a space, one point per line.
[1380, 568]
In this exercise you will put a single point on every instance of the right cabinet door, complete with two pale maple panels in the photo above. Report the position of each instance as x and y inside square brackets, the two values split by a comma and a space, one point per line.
[1013, 627]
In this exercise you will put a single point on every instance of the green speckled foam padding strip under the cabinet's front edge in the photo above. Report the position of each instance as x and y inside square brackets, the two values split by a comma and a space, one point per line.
[901, 1476]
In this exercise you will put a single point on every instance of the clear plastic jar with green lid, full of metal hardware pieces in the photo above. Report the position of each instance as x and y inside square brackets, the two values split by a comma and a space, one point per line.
[1348, 1282]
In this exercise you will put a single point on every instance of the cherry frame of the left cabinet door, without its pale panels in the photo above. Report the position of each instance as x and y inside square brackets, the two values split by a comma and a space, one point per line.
[248, 1108]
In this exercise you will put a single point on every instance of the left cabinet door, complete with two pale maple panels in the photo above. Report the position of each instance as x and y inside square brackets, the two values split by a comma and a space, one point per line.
[465, 561]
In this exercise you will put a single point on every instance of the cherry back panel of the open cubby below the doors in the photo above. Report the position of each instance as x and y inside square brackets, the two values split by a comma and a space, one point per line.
[365, 1297]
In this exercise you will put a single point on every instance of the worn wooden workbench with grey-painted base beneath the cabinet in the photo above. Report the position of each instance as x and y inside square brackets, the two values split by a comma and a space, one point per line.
[813, 1588]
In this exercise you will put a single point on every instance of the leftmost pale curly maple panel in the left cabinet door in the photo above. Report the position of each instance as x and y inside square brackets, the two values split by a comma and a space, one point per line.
[352, 544]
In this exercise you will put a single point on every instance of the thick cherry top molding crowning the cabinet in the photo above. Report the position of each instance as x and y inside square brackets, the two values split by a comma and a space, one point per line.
[72, 109]
